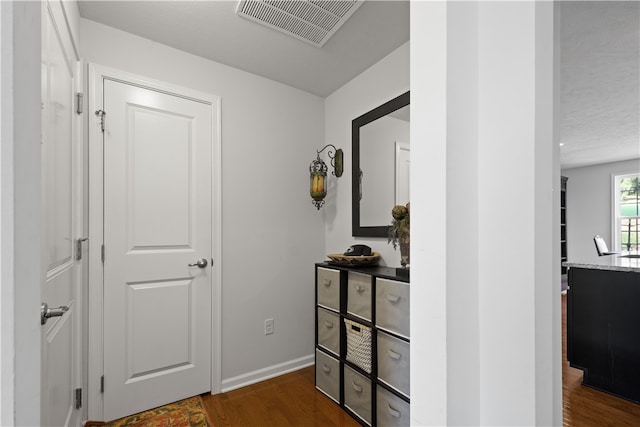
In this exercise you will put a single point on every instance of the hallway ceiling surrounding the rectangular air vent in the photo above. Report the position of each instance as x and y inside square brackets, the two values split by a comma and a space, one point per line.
[212, 29]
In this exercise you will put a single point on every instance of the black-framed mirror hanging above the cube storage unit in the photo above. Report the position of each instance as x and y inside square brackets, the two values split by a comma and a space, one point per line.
[380, 140]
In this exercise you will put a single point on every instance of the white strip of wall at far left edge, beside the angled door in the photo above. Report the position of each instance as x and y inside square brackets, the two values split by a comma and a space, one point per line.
[20, 213]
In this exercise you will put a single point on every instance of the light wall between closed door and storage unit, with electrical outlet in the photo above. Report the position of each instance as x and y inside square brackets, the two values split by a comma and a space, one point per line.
[272, 234]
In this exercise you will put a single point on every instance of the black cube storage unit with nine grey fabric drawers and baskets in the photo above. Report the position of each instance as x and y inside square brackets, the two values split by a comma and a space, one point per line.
[362, 342]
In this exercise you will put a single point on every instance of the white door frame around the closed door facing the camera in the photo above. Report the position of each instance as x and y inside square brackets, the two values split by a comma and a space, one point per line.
[97, 74]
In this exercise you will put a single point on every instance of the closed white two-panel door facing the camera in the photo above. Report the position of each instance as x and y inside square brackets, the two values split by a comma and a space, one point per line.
[157, 221]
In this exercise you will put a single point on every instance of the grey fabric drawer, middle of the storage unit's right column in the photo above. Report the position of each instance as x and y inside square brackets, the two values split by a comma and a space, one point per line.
[394, 362]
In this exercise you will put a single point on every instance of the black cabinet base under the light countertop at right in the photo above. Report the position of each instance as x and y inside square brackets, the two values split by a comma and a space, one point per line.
[602, 329]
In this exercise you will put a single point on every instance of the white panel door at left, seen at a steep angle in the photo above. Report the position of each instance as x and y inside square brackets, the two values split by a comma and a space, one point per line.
[61, 353]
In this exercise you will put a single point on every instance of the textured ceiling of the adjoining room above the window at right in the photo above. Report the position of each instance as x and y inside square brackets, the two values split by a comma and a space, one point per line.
[600, 82]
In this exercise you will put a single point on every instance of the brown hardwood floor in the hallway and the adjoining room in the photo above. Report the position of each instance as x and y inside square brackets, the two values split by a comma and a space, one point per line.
[292, 400]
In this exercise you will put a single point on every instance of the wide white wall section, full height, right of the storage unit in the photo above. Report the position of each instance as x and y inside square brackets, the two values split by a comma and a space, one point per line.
[482, 301]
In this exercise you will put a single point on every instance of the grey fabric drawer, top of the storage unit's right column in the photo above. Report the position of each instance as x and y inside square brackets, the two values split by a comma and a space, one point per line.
[392, 306]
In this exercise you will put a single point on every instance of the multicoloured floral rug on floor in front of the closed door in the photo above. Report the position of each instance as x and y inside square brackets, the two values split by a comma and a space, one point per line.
[184, 413]
